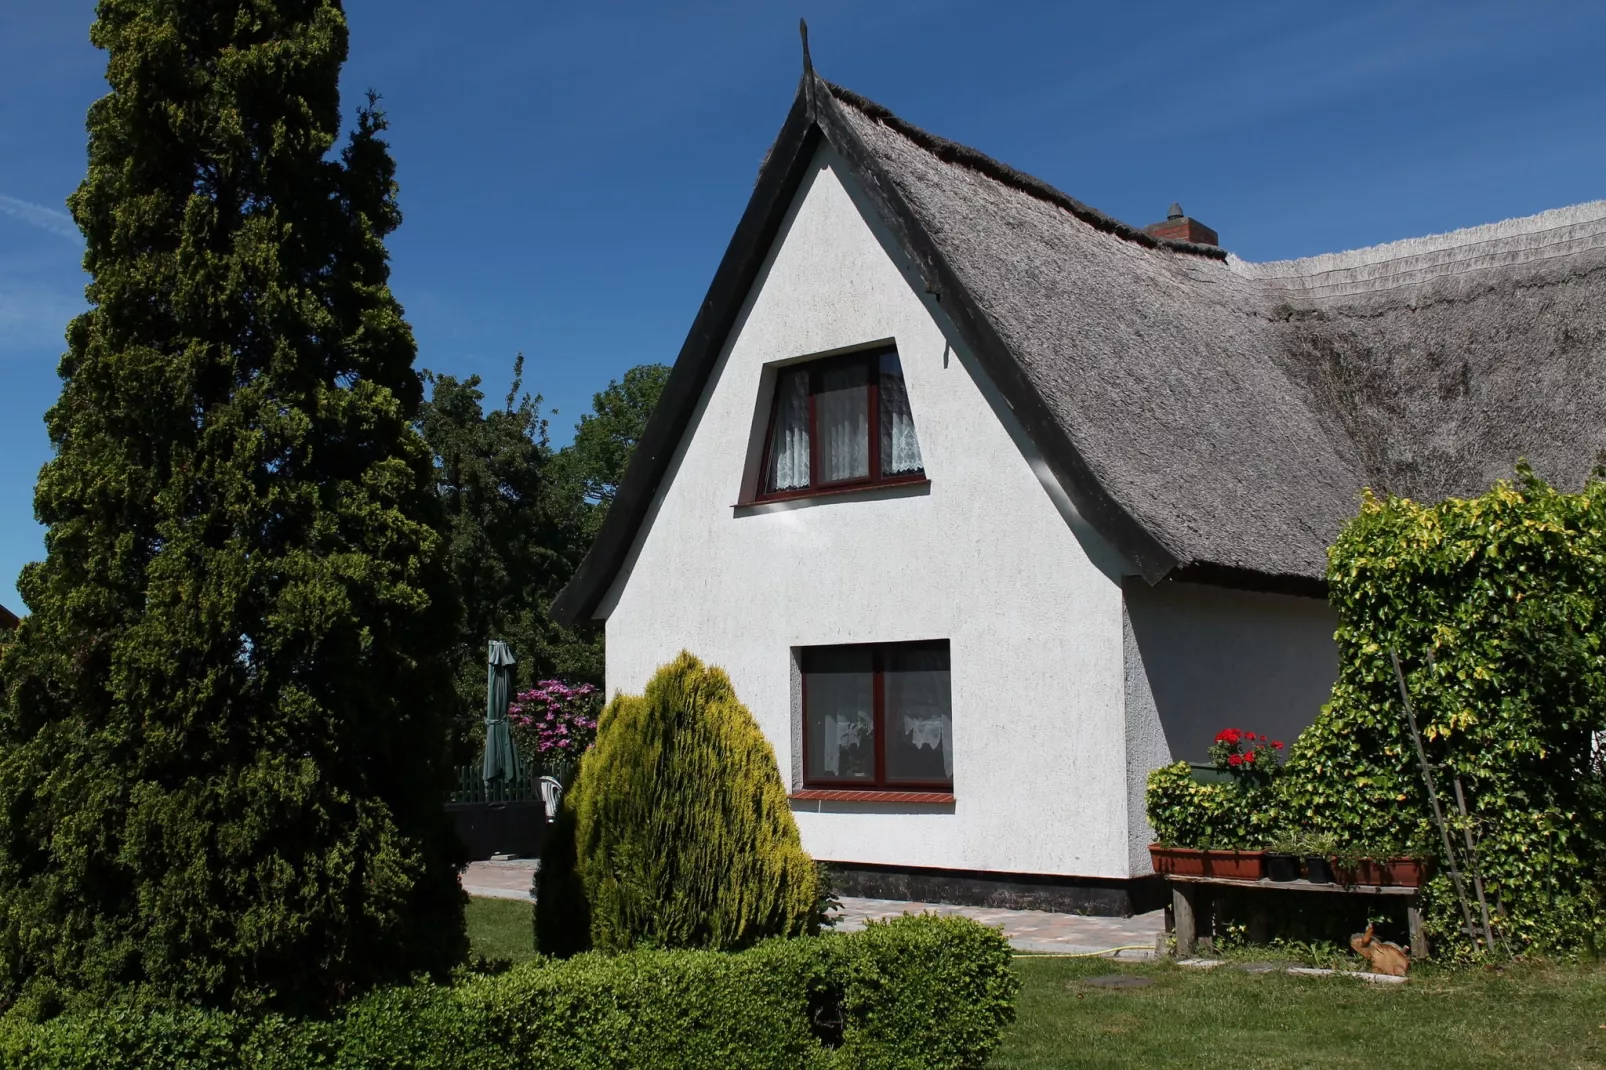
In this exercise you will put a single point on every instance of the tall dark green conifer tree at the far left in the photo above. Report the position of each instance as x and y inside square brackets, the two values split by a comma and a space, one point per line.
[224, 738]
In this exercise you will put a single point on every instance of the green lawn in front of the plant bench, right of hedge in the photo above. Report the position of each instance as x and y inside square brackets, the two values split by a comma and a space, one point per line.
[1527, 1016]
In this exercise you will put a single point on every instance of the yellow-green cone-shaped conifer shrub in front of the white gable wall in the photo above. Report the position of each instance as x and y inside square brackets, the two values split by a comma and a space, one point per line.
[677, 827]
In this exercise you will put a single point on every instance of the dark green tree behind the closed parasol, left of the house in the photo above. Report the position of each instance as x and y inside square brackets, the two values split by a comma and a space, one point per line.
[516, 531]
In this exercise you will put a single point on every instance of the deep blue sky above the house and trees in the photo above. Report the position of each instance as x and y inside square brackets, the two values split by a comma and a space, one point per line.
[571, 173]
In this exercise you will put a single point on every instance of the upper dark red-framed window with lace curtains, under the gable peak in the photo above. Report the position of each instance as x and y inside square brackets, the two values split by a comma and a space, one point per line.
[841, 423]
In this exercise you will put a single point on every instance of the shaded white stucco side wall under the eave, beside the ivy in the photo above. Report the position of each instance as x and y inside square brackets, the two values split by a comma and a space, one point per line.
[1202, 660]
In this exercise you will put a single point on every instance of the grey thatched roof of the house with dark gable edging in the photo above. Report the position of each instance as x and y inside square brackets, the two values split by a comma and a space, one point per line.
[1213, 419]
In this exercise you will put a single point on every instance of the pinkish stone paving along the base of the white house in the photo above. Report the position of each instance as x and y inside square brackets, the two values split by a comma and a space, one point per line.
[1027, 931]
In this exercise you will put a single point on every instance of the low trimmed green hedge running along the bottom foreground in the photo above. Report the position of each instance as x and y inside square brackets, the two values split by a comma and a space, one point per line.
[918, 992]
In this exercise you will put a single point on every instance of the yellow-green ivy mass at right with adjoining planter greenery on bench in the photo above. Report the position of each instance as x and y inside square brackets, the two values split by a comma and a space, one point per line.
[1496, 606]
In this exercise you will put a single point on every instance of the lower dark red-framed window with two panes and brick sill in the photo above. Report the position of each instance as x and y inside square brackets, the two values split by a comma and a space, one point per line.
[878, 716]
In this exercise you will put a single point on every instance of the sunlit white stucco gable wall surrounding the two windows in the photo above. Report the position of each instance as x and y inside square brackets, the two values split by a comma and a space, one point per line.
[990, 558]
